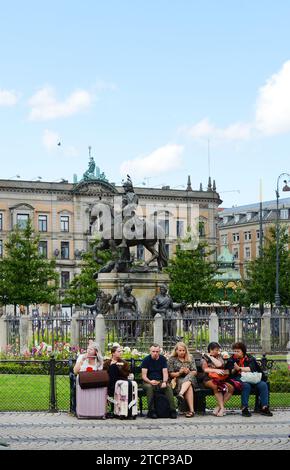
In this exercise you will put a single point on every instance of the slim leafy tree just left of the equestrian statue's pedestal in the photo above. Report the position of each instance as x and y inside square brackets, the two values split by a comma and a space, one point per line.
[83, 288]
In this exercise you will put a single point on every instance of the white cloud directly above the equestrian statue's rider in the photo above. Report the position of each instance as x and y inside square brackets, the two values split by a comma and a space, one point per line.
[160, 161]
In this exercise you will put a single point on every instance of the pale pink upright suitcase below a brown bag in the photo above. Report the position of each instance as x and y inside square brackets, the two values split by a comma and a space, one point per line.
[91, 403]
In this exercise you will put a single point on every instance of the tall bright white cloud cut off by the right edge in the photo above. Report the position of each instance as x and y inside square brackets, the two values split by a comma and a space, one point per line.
[273, 103]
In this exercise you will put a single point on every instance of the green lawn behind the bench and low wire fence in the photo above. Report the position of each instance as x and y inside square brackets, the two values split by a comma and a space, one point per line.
[31, 393]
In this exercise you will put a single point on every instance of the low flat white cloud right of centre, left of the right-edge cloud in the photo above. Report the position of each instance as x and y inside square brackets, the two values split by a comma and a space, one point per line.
[205, 129]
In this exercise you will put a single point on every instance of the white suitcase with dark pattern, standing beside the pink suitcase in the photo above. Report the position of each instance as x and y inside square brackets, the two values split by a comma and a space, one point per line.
[126, 399]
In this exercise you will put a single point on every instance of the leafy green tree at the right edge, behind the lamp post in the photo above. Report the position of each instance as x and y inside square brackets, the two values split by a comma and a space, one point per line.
[260, 282]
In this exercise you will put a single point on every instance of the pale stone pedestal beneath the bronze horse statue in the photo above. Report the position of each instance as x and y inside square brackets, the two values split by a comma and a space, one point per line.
[145, 286]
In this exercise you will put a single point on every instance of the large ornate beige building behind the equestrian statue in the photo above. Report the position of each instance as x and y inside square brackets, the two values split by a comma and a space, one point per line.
[60, 214]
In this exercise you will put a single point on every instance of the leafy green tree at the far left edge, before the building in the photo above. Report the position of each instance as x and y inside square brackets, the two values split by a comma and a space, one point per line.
[26, 276]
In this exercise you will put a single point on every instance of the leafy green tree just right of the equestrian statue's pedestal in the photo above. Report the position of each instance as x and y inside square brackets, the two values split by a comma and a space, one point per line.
[192, 275]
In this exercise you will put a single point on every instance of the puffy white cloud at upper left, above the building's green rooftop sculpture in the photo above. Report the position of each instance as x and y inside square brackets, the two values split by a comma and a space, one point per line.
[44, 105]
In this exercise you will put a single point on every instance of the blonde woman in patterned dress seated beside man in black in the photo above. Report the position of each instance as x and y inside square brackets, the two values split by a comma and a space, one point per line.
[182, 370]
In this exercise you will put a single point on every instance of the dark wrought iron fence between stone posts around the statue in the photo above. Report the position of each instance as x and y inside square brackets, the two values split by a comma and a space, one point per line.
[191, 326]
